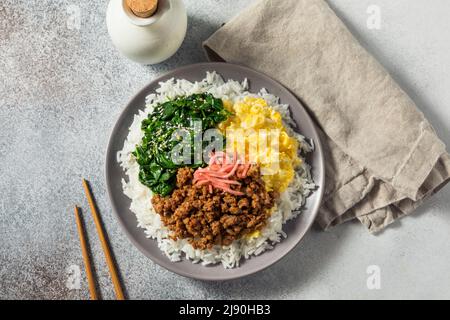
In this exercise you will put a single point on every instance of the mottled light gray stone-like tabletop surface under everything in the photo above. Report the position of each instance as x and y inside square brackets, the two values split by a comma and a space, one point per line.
[61, 91]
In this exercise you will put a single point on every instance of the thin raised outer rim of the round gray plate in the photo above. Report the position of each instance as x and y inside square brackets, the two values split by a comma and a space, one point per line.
[123, 114]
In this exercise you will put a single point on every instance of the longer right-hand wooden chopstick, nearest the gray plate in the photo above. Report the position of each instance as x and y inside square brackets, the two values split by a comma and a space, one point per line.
[105, 246]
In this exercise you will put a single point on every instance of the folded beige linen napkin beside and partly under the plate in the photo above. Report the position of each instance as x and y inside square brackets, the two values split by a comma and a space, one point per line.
[383, 157]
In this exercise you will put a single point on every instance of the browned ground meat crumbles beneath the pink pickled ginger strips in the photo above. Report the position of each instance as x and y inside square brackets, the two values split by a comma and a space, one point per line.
[214, 218]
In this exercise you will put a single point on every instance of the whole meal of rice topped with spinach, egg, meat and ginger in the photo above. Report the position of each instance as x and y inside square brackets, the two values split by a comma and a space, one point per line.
[215, 171]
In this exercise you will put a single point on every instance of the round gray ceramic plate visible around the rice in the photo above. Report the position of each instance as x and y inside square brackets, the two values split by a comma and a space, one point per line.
[295, 229]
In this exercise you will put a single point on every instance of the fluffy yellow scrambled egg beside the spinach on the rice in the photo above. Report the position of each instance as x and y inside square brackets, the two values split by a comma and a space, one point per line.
[256, 127]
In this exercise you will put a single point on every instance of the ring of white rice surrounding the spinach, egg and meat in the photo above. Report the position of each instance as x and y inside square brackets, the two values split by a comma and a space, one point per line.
[288, 206]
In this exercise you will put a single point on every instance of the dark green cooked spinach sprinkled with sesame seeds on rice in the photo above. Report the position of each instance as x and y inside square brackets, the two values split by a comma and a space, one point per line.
[157, 170]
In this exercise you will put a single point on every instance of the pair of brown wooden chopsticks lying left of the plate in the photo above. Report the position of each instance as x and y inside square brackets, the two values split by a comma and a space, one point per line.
[105, 247]
